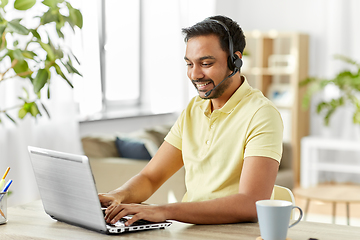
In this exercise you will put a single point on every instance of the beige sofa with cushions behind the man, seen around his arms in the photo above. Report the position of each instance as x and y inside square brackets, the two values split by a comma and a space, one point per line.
[112, 167]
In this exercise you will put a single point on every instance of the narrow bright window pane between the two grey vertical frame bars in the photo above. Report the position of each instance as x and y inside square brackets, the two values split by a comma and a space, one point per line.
[120, 52]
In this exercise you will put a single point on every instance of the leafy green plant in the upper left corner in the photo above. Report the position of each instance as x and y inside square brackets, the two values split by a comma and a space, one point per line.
[34, 53]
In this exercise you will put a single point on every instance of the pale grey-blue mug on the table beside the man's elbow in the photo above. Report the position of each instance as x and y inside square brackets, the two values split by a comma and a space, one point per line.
[274, 218]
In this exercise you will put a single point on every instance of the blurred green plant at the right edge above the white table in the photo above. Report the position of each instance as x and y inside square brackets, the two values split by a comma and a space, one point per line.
[349, 84]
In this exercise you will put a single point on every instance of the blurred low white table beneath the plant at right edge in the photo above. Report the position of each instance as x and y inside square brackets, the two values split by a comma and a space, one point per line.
[310, 164]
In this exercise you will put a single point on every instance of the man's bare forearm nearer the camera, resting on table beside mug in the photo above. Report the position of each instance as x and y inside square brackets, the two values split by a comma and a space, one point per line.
[231, 209]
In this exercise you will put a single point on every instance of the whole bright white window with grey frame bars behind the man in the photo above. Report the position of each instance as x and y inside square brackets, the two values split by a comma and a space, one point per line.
[132, 59]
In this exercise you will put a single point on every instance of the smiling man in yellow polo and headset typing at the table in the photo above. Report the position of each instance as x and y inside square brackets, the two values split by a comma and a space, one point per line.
[229, 139]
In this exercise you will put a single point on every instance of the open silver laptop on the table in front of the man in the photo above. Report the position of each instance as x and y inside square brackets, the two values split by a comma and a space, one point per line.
[69, 194]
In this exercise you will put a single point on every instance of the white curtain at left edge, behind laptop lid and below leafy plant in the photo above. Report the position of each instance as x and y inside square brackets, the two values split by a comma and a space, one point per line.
[60, 132]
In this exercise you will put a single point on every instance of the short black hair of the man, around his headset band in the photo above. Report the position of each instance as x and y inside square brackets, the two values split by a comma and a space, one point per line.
[211, 27]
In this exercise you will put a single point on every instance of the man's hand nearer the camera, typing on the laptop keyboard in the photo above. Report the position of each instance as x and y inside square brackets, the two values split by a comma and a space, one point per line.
[140, 211]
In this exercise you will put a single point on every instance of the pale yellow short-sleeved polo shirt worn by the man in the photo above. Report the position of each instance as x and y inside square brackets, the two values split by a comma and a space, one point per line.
[215, 144]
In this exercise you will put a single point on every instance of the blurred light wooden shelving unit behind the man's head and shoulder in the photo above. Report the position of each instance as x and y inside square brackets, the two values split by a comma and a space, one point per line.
[275, 64]
